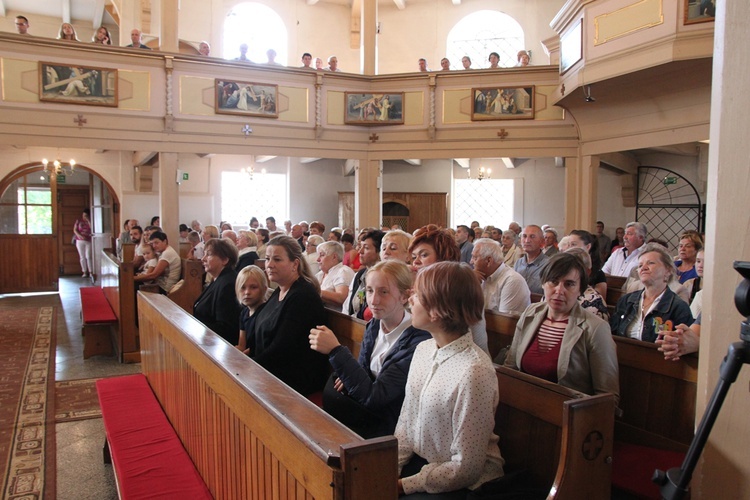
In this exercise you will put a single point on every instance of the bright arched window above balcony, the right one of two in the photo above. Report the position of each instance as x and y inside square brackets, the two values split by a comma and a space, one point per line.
[483, 32]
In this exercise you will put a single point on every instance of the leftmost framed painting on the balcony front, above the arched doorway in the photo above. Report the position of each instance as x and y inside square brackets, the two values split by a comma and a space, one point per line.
[75, 84]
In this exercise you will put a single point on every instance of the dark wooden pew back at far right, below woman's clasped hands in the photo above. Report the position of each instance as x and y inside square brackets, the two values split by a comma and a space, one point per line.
[657, 397]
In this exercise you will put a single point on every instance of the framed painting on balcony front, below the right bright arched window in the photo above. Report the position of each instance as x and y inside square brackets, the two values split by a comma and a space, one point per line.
[492, 103]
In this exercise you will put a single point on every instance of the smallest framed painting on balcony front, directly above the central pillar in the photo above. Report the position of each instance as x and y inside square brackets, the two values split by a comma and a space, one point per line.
[374, 109]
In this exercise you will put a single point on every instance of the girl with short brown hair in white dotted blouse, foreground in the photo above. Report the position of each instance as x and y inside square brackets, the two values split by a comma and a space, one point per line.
[446, 443]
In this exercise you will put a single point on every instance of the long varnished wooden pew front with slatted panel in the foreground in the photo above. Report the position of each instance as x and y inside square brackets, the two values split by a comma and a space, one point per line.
[248, 434]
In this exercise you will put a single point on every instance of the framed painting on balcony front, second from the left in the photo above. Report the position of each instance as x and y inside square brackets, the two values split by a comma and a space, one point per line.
[246, 98]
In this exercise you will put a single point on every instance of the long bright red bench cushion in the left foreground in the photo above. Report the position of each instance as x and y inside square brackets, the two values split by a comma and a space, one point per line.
[148, 457]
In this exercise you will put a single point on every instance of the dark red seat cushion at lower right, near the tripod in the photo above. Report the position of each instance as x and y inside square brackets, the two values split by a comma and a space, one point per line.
[634, 466]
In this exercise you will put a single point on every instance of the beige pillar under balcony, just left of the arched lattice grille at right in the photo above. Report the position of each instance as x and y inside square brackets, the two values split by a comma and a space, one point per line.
[581, 192]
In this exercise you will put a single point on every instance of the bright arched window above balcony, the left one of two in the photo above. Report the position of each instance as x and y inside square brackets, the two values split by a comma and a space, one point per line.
[258, 26]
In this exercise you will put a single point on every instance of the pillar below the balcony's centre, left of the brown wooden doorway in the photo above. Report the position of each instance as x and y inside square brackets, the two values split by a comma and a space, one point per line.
[368, 194]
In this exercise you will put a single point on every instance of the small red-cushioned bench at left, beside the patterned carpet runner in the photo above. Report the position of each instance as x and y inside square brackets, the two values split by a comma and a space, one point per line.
[97, 318]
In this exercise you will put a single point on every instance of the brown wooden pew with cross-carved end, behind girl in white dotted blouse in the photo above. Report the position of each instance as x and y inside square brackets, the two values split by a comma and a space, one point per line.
[563, 437]
